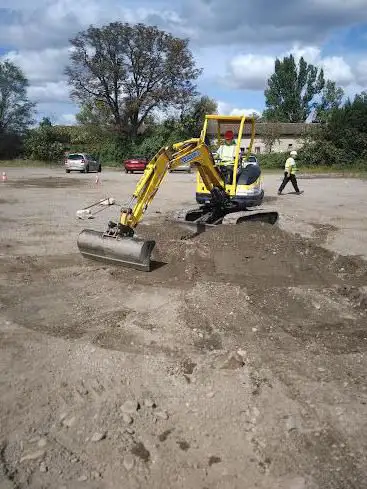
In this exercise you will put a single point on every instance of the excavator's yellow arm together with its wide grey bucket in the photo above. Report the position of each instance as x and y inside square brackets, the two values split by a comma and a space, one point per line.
[117, 244]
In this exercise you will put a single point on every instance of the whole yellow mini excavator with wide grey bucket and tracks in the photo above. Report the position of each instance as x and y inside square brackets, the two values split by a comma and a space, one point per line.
[228, 193]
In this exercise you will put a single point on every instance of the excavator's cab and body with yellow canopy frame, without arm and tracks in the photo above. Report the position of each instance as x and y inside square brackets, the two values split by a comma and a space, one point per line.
[224, 136]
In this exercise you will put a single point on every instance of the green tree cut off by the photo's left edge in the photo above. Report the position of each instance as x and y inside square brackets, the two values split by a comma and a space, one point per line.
[16, 110]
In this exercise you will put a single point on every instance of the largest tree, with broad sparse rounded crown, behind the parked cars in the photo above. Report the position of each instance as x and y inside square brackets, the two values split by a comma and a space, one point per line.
[133, 70]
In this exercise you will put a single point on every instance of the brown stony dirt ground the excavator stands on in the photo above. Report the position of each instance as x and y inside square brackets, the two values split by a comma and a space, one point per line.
[239, 362]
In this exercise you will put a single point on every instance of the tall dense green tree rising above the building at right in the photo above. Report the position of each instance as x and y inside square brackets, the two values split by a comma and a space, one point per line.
[292, 89]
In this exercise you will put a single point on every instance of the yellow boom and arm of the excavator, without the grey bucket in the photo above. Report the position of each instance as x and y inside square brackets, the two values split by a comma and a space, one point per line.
[192, 151]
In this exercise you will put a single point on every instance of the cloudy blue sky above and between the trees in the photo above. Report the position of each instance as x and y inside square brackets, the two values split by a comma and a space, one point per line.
[235, 42]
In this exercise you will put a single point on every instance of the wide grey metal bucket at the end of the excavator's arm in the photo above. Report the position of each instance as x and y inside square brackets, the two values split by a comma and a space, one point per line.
[129, 252]
